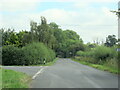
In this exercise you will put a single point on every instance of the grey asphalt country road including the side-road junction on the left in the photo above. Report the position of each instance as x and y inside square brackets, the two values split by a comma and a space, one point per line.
[66, 73]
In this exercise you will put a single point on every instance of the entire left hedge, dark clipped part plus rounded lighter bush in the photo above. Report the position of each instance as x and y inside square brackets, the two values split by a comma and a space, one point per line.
[31, 54]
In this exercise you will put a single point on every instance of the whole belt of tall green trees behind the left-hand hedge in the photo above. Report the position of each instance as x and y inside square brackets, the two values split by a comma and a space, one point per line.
[65, 43]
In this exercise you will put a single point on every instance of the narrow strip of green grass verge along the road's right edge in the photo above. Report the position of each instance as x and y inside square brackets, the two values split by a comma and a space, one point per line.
[97, 66]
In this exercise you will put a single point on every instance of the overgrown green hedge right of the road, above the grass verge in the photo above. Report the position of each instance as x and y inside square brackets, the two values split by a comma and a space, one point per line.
[99, 54]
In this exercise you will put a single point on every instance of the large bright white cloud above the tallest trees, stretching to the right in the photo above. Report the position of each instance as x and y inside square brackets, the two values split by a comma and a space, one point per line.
[89, 26]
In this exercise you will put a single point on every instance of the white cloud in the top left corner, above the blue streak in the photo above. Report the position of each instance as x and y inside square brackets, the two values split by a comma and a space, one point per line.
[17, 5]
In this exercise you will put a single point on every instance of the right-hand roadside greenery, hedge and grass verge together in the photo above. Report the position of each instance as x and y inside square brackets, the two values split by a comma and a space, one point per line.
[100, 57]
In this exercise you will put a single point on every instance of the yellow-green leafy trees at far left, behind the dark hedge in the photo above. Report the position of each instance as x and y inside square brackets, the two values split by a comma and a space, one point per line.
[10, 37]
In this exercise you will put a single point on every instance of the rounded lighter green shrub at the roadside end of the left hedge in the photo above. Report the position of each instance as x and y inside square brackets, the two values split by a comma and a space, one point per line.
[36, 53]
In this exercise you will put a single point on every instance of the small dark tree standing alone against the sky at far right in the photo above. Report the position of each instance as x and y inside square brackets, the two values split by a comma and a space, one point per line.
[110, 40]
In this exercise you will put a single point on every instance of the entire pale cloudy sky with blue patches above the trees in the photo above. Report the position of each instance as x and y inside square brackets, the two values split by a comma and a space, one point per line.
[91, 19]
